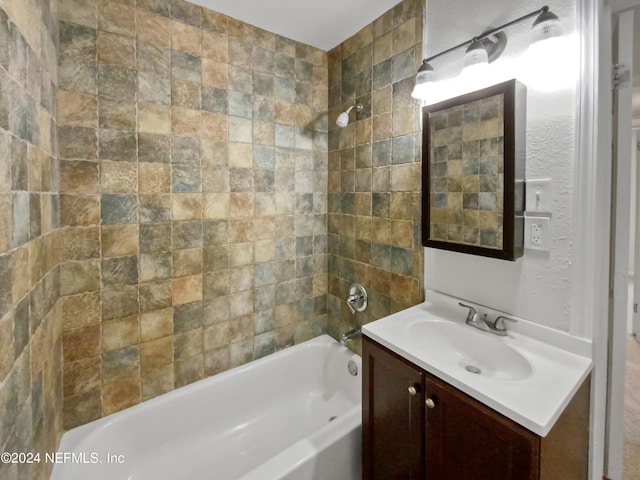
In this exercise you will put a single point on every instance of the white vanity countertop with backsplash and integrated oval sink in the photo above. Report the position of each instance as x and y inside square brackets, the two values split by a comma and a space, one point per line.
[529, 376]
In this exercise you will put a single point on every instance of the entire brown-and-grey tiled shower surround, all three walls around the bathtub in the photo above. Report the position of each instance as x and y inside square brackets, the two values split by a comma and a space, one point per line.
[176, 200]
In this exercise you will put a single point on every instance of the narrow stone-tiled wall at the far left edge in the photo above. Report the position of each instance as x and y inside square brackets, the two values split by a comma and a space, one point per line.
[30, 345]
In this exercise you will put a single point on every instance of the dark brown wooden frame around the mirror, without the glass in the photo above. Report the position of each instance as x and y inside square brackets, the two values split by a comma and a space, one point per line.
[514, 118]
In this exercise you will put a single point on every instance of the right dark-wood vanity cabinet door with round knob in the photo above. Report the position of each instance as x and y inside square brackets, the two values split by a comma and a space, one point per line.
[467, 440]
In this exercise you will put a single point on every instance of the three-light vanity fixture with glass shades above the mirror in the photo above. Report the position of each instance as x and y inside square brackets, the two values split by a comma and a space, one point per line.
[487, 47]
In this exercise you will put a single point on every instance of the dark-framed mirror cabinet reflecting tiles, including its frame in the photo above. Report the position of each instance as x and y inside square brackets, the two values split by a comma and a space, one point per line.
[473, 172]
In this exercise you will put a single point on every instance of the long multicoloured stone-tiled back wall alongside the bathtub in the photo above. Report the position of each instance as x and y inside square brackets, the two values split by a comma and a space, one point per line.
[193, 170]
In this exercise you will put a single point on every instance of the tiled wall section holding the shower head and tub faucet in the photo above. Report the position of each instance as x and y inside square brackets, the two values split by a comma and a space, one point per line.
[375, 168]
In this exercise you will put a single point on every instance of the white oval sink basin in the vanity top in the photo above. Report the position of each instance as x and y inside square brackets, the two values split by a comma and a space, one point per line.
[477, 352]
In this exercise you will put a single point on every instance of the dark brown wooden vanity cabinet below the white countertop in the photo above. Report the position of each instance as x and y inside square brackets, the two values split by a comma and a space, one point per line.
[416, 426]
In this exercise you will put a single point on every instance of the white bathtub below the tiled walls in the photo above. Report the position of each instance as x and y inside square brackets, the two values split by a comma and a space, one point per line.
[269, 419]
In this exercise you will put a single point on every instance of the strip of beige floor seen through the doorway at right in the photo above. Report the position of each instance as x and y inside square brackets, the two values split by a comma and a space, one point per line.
[631, 446]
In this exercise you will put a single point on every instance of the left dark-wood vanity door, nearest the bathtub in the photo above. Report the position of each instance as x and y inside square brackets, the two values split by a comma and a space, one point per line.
[392, 416]
